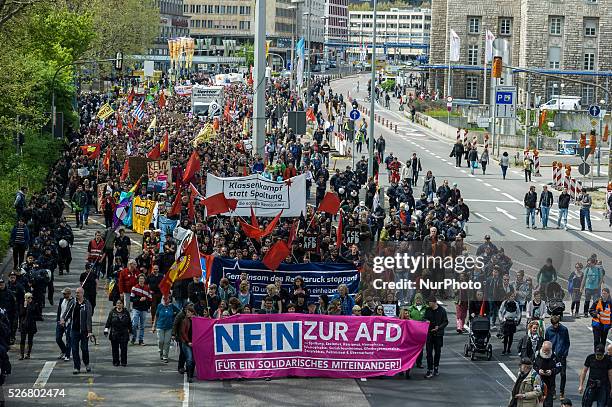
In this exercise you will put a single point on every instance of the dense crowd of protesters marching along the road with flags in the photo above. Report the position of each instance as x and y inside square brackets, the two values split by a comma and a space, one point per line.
[131, 272]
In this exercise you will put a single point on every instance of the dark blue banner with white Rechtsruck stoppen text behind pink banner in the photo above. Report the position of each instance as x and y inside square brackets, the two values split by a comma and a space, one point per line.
[320, 278]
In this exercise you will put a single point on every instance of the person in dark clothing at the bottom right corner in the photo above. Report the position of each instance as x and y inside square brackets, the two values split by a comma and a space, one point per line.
[599, 368]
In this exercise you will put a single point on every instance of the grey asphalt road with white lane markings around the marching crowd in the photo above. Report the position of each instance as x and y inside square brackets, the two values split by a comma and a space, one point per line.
[497, 210]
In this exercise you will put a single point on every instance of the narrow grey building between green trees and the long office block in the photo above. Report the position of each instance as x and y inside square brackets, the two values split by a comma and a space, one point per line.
[172, 24]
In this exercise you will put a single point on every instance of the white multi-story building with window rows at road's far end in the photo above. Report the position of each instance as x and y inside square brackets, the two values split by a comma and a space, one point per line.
[403, 34]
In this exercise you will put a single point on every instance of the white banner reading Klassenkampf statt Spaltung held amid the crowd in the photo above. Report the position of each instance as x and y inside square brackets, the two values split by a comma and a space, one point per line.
[265, 196]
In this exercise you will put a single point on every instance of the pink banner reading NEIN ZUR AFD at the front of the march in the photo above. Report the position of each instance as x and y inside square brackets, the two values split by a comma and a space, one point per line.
[307, 345]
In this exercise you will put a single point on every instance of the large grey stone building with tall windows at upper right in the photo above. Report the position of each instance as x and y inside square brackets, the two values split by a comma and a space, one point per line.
[569, 39]
